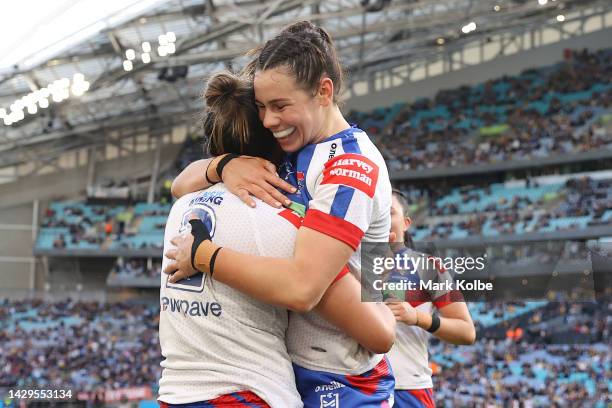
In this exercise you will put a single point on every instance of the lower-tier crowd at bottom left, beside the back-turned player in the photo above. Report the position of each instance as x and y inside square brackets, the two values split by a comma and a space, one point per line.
[79, 345]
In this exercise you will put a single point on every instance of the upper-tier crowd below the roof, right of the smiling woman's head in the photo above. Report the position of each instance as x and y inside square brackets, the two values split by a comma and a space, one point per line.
[539, 113]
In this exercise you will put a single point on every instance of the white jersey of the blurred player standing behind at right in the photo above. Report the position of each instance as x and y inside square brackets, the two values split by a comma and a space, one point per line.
[409, 357]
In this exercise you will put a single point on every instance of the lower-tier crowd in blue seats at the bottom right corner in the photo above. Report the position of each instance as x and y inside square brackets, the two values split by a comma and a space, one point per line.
[534, 367]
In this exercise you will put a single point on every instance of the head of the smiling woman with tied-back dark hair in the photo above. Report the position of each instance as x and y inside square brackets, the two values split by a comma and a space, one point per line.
[297, 83]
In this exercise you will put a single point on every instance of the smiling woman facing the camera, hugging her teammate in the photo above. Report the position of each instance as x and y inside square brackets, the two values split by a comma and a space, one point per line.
[343, 185]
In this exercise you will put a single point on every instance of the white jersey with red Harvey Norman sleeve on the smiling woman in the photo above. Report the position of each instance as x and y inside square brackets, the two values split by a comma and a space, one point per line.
[344, 183]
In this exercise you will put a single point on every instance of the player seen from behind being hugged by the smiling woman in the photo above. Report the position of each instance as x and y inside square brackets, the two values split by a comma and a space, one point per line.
[222, 347]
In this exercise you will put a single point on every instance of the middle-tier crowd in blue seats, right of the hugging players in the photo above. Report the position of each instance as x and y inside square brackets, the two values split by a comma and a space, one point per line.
[579, 203]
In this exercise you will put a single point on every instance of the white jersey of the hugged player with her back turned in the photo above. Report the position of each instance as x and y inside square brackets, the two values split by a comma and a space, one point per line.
[216, 340]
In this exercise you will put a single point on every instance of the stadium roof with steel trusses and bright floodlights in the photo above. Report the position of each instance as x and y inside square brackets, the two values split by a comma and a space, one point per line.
[126, 59]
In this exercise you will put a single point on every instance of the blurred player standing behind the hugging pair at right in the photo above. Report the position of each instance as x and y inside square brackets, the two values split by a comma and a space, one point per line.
[417, 317]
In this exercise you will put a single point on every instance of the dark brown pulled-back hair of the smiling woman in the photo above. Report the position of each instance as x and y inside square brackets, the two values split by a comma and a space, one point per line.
[309, 54]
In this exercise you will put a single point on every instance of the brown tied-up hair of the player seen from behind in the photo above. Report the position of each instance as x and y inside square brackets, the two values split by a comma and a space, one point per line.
[231, 121]
